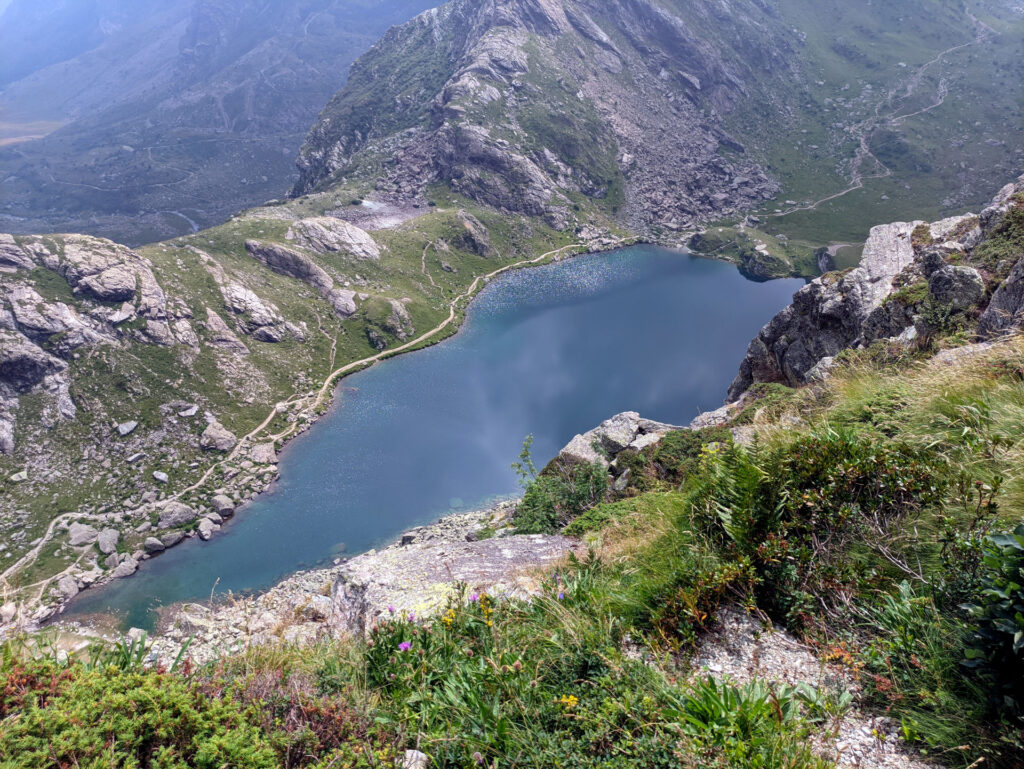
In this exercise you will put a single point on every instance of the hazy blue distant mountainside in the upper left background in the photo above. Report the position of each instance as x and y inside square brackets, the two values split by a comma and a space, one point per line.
[169, 114]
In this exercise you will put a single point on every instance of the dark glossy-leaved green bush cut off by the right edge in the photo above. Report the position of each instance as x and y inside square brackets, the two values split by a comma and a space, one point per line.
[997, 650]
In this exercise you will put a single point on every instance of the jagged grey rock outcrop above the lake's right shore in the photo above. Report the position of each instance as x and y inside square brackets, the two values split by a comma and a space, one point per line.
[917, 280]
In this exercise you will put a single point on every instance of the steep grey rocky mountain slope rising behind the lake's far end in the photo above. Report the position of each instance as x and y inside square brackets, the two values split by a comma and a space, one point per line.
[542, 108]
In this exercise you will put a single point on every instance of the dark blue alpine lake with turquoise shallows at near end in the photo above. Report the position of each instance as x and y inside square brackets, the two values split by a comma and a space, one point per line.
[549, 352]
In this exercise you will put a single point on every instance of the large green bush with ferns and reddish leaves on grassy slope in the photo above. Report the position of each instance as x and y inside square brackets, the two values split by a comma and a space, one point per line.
[799, 511]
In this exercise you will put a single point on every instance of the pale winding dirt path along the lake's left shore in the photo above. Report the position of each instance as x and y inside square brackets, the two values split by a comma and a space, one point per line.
[309, 403]
